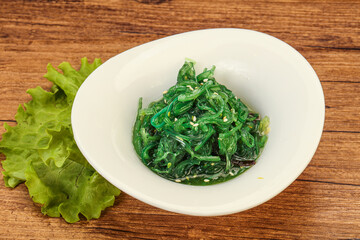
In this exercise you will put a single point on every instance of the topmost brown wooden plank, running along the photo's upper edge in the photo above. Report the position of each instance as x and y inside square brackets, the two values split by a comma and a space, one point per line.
[326, 24]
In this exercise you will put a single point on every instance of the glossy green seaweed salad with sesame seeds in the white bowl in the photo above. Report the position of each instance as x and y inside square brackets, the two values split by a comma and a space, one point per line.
[199, 132]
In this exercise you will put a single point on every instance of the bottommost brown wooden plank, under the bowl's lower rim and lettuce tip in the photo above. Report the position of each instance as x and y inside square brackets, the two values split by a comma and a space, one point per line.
[305, 210]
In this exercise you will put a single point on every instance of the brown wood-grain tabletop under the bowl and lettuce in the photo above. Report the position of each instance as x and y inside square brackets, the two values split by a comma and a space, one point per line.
[323, 203]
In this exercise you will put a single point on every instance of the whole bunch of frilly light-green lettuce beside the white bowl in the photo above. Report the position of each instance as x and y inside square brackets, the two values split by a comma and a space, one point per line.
[40, 151]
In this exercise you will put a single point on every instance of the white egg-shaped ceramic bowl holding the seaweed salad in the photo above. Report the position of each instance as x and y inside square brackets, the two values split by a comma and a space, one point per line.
[268, 74]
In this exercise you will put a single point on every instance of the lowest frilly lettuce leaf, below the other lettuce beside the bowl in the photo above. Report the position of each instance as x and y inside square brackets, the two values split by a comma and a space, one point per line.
[69, 190]
